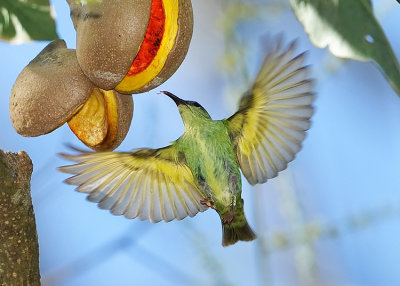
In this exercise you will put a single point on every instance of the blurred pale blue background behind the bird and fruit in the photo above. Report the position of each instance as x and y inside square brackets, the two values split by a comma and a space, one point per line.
[331, 218]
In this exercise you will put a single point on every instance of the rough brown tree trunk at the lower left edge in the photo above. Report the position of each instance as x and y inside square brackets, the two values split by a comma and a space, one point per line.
[19, 248]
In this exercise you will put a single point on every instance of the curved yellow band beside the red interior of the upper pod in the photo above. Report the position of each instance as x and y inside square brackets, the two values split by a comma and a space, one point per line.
[131, 83]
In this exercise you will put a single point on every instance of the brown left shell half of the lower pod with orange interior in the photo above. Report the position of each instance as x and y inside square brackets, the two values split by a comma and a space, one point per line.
[48, 91]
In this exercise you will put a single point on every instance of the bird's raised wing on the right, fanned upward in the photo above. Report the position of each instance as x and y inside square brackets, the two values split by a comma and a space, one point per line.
[273, 116]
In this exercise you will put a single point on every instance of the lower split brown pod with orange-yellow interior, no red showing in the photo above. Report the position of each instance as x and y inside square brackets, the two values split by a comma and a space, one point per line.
[52, 90]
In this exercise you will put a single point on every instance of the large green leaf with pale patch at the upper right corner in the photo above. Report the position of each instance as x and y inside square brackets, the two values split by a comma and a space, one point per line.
[351, 30]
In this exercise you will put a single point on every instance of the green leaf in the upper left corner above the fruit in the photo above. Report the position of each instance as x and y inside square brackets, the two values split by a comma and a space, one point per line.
[26, 20]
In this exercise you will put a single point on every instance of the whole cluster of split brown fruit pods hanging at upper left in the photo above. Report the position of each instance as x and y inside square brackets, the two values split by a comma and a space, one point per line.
[123, 47]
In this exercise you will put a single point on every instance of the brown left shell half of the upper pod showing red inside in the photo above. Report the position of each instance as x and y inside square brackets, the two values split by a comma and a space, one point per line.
[109, 35]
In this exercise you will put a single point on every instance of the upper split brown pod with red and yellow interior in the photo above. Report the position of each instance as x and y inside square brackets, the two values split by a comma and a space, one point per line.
[133, 45]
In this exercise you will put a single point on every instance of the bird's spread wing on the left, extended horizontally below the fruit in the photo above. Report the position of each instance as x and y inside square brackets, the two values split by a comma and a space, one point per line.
[150, 184]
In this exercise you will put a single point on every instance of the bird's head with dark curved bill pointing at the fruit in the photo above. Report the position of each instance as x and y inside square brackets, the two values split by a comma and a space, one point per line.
[191, 111]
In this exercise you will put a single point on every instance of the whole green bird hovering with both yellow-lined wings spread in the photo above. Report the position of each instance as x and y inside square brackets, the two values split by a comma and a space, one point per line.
[200, 170]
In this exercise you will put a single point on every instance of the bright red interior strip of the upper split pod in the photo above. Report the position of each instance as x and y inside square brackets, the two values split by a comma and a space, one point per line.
[152, 39]
